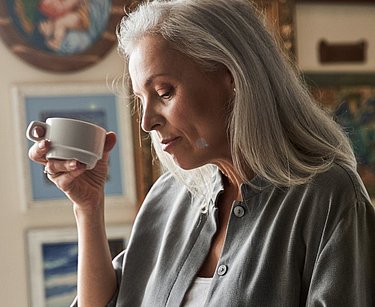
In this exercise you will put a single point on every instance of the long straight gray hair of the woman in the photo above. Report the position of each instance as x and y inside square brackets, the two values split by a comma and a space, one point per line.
[275, 128]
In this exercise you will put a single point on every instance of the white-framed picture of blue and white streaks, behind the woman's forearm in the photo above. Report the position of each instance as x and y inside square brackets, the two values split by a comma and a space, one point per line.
[52, 261]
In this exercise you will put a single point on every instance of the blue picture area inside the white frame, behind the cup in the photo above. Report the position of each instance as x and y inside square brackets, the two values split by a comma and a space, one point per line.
[98, 109]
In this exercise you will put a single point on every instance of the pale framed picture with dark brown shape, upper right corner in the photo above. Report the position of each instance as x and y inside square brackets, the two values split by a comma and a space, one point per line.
[340, 44]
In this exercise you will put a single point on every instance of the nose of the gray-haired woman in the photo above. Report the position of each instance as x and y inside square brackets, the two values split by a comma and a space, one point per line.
[152, 118]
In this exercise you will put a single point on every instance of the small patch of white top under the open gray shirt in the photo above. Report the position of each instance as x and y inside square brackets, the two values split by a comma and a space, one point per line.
[197, 294]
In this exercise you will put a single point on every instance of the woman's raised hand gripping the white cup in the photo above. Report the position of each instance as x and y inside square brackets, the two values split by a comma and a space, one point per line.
[85, 188]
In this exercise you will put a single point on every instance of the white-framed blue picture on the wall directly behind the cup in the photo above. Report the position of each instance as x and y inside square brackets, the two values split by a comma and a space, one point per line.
[94, 102]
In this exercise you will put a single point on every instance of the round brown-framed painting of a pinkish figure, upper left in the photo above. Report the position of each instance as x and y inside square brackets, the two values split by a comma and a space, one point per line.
[57, 37]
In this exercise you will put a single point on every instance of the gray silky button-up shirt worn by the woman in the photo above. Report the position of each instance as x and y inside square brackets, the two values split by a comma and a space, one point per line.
[308, 245]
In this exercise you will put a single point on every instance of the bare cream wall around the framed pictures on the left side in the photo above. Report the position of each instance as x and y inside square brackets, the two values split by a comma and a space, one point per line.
[13, 221]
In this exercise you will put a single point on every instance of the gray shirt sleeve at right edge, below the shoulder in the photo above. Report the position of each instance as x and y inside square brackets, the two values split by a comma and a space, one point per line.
[344, 272]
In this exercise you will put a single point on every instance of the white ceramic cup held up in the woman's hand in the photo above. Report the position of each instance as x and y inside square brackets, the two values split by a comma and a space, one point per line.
[71, 139]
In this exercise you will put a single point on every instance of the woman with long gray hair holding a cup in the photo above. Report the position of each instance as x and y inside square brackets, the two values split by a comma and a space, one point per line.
[260, 204]
